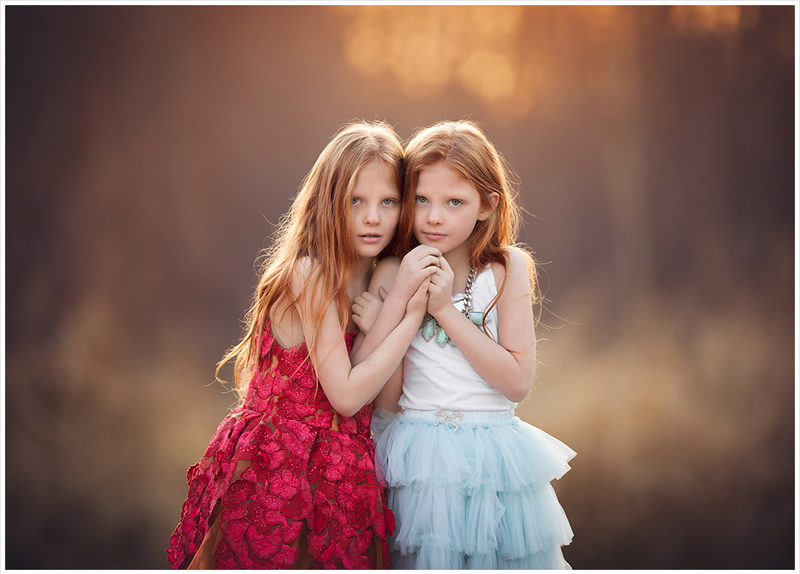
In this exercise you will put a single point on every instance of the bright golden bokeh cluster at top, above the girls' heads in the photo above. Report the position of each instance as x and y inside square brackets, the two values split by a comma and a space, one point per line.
[427, 48]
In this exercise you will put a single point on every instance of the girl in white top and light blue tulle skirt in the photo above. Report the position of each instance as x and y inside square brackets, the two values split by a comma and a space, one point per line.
[468, 481]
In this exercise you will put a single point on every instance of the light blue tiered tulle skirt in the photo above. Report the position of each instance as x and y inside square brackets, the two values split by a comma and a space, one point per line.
[471, 490]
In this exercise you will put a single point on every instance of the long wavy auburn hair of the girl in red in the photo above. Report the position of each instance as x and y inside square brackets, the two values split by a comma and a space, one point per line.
[317, 226]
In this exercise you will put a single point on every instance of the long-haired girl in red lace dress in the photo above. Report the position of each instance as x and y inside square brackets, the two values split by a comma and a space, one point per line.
[288, 480]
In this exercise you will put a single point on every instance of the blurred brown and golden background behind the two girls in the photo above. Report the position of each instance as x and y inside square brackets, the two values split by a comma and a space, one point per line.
[150, 149]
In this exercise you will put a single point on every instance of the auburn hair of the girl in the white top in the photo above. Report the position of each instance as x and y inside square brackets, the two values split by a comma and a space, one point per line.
[465, 148]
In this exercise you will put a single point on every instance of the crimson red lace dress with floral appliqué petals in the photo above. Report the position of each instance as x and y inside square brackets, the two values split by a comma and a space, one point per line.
[285, 482]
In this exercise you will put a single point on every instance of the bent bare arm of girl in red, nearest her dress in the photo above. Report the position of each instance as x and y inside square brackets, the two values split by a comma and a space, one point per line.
[349, 388]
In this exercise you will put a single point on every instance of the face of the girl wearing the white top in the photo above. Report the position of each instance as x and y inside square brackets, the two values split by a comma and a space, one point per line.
[446, 208]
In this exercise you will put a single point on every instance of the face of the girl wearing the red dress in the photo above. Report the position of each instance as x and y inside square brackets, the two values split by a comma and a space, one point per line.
[375, 209]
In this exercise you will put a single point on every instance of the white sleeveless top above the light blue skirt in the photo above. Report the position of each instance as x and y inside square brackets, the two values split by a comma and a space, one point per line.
[437, 377]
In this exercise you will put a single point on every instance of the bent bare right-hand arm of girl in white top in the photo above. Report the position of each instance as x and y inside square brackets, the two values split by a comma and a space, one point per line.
[508, 365]
